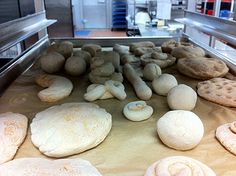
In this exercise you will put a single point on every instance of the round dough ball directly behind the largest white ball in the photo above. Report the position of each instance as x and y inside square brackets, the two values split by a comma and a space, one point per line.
[182, 97]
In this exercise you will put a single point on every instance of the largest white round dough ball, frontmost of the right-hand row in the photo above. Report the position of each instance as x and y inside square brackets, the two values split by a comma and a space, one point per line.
[180, 130]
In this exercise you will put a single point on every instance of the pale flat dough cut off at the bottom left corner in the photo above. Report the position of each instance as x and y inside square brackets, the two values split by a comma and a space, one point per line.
[45, 167]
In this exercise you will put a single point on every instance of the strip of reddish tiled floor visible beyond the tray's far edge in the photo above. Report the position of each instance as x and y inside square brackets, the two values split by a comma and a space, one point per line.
[102, 33]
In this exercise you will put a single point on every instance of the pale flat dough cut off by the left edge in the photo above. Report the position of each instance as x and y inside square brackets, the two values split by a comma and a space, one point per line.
[13, 128]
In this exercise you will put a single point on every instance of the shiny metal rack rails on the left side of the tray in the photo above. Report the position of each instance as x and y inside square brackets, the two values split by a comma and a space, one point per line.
[16, 31]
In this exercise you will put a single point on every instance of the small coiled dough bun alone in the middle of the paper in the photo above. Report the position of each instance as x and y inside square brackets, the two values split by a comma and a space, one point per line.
[137, 111]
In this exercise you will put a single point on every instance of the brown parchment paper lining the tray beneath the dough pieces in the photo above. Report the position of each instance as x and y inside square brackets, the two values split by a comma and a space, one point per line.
[130, 147]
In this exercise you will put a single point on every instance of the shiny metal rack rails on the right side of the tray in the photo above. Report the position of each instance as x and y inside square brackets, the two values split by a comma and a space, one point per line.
[215, 28]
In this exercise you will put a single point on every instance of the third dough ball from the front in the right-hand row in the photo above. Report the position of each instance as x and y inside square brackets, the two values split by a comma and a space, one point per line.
[164, 83]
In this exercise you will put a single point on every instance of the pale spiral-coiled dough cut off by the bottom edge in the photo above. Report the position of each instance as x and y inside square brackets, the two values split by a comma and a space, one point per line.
[179, 166]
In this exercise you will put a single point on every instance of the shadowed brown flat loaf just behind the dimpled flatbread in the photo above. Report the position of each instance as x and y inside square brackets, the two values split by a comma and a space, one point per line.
[202, 68]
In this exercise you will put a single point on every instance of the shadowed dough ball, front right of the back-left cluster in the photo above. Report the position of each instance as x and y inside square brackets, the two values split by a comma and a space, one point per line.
[75, 65]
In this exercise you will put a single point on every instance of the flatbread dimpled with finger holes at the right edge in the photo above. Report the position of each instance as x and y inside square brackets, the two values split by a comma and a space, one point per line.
[218, 90]
